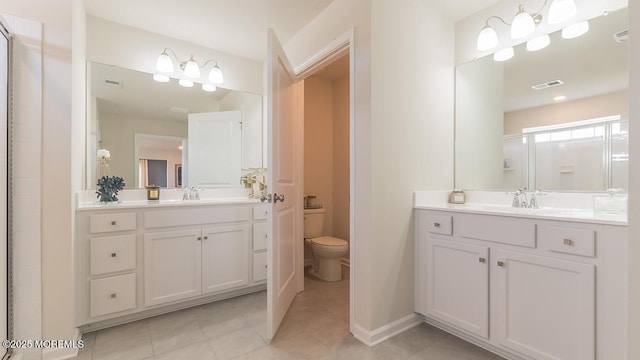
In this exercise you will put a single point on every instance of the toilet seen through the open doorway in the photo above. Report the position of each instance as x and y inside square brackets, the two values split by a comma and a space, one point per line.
[326, 250]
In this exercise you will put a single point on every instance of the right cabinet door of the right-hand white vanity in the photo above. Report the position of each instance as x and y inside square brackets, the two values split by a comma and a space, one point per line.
[544, 308]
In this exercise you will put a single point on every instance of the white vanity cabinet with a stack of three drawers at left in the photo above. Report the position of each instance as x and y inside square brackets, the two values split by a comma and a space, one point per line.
[139, 261]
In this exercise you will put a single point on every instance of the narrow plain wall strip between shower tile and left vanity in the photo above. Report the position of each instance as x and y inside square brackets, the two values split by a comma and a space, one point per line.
[56, 151]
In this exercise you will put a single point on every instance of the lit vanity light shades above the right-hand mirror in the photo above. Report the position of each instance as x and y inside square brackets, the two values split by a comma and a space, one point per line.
[524, 24]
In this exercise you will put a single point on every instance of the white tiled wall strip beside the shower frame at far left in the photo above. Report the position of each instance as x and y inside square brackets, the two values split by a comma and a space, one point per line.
[26, 177]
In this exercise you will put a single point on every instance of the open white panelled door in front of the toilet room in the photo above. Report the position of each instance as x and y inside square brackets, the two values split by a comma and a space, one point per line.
[284, 159]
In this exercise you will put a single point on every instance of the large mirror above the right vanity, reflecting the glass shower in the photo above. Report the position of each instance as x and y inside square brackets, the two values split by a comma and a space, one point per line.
[509, 135]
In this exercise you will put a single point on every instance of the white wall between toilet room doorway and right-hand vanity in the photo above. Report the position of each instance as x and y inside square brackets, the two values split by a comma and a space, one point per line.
[412, 138]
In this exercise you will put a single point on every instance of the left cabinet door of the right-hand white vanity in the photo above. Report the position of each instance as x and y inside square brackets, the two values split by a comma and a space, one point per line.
[458, 284]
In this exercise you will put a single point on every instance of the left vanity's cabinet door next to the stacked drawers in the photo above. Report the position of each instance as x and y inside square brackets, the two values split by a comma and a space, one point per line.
[172, 266]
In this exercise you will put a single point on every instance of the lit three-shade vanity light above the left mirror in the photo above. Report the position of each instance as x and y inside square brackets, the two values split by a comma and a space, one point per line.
[190, 71]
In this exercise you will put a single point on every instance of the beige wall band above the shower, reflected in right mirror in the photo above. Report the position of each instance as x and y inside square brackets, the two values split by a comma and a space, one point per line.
[616, 103]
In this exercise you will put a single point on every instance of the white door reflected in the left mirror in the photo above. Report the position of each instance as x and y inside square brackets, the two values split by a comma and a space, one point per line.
[215, 149]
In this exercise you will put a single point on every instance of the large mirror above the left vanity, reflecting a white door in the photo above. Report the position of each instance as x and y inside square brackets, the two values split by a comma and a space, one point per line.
[144, 126]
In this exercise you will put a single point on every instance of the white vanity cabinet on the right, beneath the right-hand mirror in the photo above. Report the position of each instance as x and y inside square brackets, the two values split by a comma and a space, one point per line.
[526, 288]
